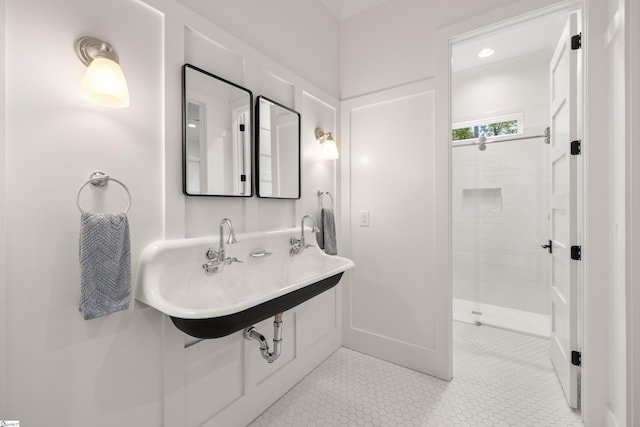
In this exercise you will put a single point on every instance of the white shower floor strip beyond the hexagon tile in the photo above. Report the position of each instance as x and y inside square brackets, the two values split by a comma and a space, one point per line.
[501, 317]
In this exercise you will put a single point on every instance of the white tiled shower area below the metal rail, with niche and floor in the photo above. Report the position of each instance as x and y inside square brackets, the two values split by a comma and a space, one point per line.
[500, 198]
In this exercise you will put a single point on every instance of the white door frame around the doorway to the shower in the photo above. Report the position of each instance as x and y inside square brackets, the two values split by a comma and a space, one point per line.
[594, 268]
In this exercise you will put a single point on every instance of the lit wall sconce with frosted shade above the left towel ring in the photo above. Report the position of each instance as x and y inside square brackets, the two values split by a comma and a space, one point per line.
[104, 81]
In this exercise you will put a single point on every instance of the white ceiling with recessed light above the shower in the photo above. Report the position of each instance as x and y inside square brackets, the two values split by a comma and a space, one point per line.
[536, 36]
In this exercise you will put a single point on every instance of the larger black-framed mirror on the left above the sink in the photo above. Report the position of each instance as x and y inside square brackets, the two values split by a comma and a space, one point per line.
[216, 135]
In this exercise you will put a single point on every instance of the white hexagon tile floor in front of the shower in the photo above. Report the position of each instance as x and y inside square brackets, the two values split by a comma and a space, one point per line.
[501, 378]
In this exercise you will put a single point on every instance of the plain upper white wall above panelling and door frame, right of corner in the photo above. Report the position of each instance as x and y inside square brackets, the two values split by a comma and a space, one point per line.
[403, 33]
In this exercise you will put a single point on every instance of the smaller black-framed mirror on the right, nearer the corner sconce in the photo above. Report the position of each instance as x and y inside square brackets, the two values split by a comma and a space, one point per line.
[277, 150]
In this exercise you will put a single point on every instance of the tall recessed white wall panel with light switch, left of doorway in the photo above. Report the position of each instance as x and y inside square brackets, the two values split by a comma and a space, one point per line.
[387, 280]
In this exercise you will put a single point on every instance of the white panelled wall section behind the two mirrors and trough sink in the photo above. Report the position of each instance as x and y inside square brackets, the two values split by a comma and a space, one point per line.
[310, 331]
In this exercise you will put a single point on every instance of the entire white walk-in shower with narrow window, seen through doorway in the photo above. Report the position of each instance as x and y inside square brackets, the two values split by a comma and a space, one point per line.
[500, 188]
